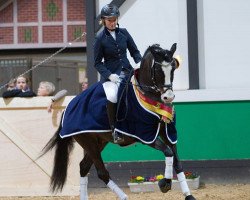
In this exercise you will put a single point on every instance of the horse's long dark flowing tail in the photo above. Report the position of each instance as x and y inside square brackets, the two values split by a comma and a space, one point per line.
[61, 159]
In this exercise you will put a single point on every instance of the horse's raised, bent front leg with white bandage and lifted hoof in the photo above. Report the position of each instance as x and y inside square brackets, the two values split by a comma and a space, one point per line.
[165, 184]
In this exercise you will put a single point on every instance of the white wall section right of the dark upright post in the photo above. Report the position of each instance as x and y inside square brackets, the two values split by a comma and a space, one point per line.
[224, 38]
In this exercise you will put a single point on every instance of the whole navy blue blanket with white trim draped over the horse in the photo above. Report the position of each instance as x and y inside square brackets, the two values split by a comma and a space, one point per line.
[87, 113]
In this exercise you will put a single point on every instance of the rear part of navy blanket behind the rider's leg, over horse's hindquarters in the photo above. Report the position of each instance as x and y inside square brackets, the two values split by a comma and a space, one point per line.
[86, 112]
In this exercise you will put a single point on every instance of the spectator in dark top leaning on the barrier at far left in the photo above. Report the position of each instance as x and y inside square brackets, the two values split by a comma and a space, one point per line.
[21, 90]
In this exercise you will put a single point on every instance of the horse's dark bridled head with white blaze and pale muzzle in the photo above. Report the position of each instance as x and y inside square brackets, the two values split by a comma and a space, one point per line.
[157, 72]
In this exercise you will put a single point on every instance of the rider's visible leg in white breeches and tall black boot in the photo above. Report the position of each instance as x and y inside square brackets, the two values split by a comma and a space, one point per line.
[111, 90]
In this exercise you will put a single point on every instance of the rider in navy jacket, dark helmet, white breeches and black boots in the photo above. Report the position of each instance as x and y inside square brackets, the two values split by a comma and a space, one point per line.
[110, 54]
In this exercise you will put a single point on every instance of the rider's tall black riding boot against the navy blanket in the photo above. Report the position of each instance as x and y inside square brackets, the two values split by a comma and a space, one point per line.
[111, 111]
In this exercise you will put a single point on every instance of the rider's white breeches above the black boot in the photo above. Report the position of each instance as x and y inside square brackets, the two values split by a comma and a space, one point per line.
[111, 90]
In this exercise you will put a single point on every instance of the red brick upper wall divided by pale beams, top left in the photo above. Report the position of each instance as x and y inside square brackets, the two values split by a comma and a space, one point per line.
[52, 11]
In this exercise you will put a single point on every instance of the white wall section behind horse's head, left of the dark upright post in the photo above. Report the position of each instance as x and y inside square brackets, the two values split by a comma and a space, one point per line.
[162, 22]
